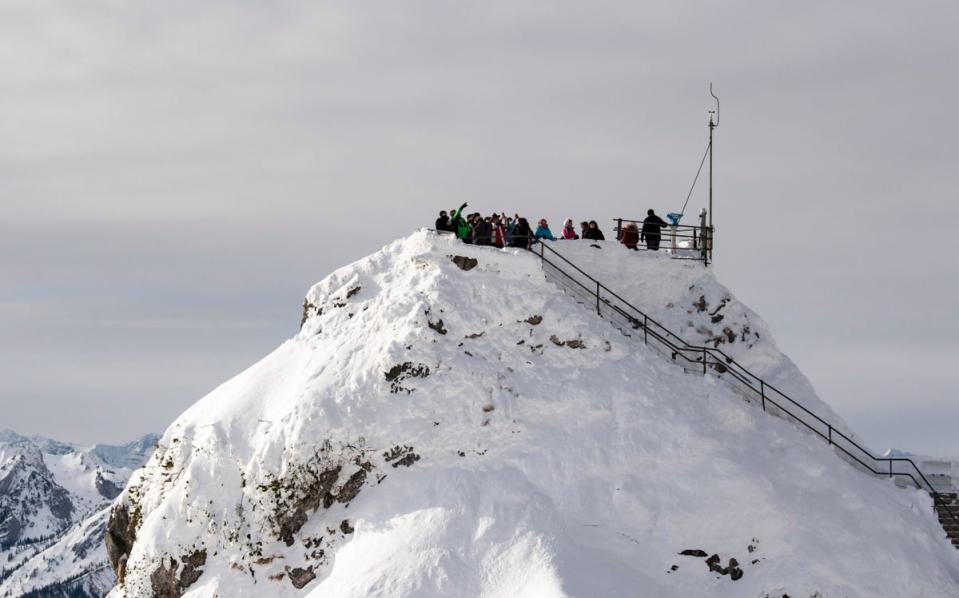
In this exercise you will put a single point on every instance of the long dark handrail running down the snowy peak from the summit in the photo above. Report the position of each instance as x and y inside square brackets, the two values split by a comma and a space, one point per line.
[724, 363]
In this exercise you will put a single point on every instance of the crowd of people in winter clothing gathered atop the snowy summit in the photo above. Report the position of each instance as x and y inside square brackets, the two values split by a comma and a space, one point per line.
[500, 230]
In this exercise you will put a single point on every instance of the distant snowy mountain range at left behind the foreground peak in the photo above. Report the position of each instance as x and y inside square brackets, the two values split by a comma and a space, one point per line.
[54, 504]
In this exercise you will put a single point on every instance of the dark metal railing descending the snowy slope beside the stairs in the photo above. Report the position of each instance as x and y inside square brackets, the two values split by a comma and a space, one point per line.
[713, 361]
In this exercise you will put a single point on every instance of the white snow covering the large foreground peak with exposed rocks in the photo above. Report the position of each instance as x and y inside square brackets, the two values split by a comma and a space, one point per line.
[445, 427]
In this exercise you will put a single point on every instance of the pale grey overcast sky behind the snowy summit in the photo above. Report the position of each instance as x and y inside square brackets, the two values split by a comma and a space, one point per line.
[174, 176]
